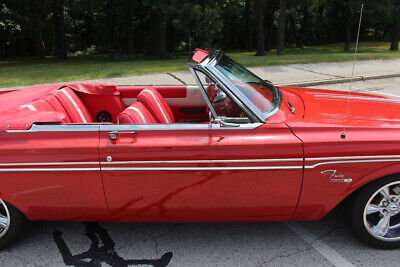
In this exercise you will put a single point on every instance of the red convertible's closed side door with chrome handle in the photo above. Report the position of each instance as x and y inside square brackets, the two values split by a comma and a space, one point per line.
[172, 172]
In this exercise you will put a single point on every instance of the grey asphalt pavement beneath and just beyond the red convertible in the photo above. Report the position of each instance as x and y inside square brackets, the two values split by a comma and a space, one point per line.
[328, 242]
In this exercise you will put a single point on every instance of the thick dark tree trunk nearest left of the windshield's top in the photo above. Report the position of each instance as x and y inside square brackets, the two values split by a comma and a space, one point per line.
[157, 34]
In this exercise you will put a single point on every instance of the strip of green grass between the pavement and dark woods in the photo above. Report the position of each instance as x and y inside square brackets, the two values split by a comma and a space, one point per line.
[17, 72]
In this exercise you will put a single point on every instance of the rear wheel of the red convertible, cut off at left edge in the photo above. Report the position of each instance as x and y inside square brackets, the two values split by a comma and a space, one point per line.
[12, 223]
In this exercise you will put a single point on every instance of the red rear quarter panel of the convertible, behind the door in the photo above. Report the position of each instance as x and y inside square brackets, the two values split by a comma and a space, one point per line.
[51, 172]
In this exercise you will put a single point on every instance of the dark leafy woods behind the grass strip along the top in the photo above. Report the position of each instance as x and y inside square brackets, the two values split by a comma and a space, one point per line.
[158, 27]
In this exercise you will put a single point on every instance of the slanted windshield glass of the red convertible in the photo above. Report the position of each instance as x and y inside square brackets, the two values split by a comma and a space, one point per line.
[262, 94]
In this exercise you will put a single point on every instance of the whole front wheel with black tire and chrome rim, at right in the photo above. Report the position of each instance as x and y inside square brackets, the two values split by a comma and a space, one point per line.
[375, 213]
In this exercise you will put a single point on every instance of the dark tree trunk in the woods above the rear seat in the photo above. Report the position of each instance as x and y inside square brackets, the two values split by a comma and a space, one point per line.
[59, 28]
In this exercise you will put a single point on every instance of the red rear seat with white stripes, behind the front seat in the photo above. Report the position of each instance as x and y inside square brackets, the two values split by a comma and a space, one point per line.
[65, 101]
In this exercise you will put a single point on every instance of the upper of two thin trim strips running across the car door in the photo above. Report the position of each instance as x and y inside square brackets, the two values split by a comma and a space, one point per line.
[200, 161]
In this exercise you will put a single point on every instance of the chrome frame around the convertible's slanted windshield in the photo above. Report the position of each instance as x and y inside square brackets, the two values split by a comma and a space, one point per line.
[208, 66]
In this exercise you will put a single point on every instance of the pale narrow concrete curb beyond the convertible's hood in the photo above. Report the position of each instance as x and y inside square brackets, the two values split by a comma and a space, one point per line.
[340, 80]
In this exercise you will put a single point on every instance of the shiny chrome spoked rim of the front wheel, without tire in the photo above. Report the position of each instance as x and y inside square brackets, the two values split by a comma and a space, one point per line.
[382, 213]
